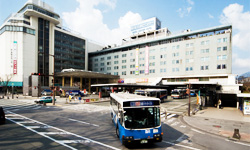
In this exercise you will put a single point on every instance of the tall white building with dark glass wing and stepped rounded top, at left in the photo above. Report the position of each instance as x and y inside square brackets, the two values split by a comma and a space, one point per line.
[33, 39]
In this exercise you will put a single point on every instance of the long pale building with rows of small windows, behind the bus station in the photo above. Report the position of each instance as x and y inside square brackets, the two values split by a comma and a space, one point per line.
[159, 54]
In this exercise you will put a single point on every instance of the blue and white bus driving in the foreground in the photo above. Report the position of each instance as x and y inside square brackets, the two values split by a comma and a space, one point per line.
[136, 118]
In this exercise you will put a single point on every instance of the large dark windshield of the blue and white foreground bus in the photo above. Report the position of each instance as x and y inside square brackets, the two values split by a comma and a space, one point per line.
[137, 118]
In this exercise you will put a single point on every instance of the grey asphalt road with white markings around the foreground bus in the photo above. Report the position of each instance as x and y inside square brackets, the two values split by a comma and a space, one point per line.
[89, 126]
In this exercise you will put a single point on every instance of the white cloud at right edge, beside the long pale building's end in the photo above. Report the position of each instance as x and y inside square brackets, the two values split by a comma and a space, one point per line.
[233, 14]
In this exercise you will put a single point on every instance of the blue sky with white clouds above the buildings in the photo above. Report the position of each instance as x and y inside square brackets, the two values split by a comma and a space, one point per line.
[107, 21]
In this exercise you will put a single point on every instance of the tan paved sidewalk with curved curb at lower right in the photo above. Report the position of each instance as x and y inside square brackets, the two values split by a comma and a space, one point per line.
[221, 122]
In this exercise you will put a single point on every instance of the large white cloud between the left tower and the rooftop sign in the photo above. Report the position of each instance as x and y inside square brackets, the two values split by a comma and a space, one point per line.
[88, 20]
